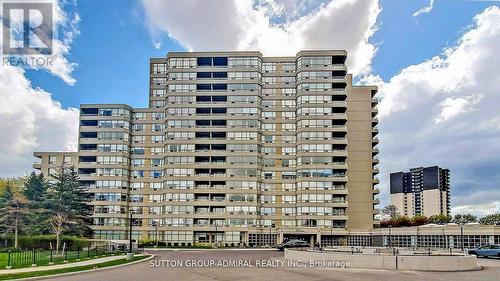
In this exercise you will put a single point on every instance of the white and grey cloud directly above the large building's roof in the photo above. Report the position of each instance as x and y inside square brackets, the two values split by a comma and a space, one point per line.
[240, 25]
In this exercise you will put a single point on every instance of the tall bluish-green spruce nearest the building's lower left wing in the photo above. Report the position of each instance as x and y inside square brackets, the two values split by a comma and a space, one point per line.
[67, 201]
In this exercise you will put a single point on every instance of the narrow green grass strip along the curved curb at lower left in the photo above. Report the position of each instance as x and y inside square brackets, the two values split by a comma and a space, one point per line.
[69, 269]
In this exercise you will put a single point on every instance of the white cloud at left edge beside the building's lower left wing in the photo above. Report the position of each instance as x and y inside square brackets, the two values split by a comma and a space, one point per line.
[31, 121]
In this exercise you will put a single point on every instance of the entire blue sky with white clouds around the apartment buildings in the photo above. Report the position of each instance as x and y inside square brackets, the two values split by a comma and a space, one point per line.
[438, 107]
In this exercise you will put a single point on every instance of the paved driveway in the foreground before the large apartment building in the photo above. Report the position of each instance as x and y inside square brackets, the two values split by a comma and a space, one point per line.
[262, 265]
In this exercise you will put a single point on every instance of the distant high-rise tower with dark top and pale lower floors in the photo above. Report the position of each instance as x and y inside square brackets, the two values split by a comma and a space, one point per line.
[422, 191]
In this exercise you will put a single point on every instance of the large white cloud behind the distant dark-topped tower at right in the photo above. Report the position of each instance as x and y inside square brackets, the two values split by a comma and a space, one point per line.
[444, 111]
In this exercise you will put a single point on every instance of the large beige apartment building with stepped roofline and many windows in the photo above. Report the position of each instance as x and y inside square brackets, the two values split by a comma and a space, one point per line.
[234, 148]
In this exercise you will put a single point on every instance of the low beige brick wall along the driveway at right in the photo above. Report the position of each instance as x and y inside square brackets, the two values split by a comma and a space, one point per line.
[420, 263]
